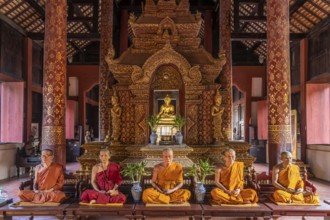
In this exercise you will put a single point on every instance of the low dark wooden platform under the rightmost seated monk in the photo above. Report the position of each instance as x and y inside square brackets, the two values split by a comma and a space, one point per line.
[278, 211]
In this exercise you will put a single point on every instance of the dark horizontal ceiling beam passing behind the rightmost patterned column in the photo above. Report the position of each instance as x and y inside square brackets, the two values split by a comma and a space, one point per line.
[262, 36]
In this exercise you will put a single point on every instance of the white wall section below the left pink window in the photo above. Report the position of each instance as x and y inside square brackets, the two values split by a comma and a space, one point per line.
[7, 159]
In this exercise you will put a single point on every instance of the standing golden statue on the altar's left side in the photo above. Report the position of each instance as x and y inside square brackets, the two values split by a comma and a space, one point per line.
[115, 119]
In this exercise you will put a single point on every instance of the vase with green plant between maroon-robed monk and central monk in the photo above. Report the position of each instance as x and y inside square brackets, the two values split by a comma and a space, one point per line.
[135, 171]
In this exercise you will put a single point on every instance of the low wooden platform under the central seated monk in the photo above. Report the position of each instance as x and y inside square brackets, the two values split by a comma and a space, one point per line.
[194, 211]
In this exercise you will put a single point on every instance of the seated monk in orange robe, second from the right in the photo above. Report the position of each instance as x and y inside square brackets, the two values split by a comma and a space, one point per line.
[230, 182]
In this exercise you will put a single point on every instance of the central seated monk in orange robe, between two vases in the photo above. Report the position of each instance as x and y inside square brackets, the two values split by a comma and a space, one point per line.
[167, 179]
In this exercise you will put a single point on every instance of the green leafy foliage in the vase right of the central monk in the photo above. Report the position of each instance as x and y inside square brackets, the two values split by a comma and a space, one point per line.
[201, 170]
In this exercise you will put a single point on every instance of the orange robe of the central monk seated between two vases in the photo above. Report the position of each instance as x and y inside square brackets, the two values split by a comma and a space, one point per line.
[167, 179]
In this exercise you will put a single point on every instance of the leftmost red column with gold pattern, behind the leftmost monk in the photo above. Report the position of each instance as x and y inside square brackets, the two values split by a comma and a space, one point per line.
[54, 88]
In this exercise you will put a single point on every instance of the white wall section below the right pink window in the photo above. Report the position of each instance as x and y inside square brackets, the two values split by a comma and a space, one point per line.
[318, 157]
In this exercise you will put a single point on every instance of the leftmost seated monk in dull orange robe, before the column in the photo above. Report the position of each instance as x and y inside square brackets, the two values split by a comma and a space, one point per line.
[48, 181]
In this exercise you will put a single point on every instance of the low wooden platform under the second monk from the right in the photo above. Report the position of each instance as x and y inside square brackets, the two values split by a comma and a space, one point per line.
[210, 211]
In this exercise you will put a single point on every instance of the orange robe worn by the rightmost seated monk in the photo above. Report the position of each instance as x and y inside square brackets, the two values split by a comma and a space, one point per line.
[290, 178]
